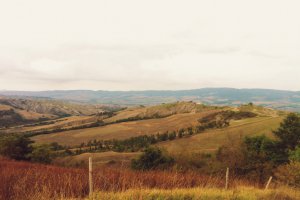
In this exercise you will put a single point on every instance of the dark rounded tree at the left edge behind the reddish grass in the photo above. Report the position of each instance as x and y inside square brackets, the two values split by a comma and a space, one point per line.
[16, 147]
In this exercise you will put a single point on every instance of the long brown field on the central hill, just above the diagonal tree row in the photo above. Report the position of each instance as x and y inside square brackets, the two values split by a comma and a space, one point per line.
[123, 130]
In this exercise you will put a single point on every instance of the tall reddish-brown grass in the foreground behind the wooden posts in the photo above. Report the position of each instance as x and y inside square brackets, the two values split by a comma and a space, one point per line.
[23, 180]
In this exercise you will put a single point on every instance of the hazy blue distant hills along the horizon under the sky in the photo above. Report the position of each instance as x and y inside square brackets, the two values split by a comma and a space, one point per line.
[279, 99]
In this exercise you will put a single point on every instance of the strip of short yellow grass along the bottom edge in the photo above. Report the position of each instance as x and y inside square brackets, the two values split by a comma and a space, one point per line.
[241, 193]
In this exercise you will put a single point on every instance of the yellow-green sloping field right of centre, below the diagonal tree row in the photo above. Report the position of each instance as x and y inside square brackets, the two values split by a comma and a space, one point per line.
[211, 140]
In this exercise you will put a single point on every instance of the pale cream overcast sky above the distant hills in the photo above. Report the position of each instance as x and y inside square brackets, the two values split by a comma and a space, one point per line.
[149, 45]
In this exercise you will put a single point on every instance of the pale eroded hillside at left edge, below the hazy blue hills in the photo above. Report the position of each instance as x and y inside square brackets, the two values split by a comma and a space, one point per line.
[19, 111]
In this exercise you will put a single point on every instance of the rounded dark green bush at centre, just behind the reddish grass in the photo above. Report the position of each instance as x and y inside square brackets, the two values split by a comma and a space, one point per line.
[152, 158]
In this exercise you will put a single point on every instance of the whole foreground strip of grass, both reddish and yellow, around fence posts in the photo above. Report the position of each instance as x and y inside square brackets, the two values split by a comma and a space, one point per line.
[24, 180]
